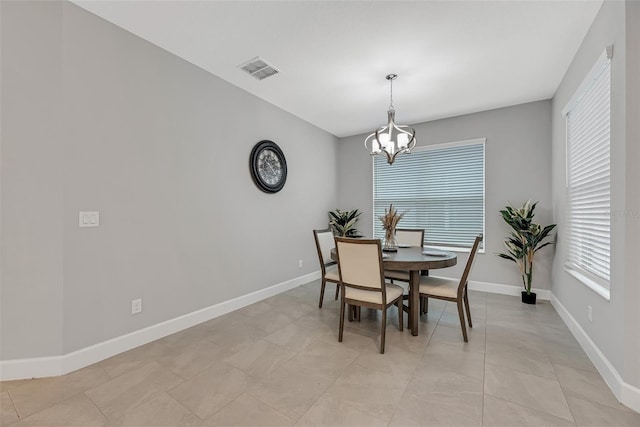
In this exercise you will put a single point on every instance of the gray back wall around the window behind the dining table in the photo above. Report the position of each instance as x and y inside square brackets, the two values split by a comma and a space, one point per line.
[518, 167]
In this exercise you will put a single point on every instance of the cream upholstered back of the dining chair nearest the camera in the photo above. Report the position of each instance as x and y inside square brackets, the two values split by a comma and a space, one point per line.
[360, 263]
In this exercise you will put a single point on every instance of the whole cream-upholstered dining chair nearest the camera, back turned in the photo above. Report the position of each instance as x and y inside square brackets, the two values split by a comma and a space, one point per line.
[362, 281]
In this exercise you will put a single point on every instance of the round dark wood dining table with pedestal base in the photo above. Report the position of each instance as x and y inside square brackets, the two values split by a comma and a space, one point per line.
[415, 259]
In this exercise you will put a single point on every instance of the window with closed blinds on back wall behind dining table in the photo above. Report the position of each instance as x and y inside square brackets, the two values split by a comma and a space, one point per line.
[442, 189]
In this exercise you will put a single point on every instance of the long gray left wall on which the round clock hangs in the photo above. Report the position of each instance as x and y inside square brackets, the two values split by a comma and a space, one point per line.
[94, 118]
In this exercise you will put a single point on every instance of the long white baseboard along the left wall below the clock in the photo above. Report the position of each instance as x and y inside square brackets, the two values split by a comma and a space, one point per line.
[59, 365]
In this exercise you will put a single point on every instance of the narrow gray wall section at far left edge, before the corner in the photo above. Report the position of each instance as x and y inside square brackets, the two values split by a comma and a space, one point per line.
[31, 287]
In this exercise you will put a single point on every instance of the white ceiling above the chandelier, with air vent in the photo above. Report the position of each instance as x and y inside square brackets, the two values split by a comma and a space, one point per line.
[452, 57]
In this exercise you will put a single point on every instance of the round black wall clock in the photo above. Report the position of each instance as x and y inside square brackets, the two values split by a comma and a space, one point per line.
[268, 166]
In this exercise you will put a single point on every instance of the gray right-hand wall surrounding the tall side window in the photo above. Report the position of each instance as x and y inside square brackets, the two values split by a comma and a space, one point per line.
[615, 324]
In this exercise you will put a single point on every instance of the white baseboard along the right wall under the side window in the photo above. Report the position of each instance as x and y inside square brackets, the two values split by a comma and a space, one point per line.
[626, 394]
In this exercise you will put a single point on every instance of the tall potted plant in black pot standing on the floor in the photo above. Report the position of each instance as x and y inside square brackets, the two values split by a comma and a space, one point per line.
[525, 240]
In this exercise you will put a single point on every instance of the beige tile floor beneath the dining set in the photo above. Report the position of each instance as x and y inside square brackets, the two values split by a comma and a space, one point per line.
[279, 363]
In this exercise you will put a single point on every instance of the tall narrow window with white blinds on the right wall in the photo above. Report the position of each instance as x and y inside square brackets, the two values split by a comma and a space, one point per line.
[588, 117]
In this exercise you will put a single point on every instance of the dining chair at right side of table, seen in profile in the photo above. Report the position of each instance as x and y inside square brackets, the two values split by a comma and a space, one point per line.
[452, 290]
